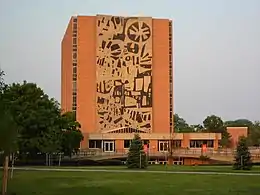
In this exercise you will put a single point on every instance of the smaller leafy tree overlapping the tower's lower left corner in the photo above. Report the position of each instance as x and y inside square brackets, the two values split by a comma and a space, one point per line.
[71, 134]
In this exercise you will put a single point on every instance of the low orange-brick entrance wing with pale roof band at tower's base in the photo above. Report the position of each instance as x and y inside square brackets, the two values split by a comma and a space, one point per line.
[120, 143]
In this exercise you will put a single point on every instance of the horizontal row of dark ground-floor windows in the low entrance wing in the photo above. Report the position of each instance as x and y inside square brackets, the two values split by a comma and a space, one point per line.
[163, 145]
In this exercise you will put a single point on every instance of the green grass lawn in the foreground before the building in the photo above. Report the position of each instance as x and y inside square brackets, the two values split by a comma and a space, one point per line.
[103, 183]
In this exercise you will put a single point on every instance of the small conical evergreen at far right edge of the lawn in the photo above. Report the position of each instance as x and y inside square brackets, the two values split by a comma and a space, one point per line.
[242, 156]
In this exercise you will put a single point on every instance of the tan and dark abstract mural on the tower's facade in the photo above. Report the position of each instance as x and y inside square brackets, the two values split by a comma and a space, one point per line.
[124, 73]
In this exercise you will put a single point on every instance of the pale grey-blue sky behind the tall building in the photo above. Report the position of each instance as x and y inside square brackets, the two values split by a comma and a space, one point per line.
[216, 48]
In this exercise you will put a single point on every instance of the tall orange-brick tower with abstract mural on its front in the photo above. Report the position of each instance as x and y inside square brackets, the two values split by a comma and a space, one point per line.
[117, 77]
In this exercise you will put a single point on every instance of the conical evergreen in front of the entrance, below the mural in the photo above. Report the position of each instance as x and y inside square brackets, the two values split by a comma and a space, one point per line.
[136, 157]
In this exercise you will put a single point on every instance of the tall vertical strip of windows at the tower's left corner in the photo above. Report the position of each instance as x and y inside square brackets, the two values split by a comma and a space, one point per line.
[74, 65]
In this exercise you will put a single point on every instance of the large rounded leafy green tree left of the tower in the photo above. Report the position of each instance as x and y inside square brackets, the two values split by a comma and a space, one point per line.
[37, 117]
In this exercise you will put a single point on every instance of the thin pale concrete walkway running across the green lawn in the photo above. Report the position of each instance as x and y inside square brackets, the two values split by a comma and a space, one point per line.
[135, 171]
